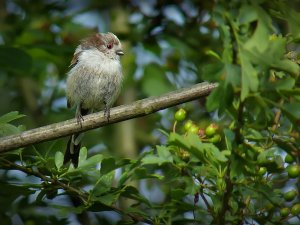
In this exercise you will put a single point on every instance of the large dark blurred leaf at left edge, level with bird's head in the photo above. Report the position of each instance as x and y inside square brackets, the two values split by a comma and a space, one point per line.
[15, 59]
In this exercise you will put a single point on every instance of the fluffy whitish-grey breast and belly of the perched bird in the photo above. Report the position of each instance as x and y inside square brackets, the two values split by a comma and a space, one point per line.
[95, 79]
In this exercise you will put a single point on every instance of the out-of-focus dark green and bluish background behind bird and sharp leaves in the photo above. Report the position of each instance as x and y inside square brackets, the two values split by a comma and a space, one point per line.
[166, 44]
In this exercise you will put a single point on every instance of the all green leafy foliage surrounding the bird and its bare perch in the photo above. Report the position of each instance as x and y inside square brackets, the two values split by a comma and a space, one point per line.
[148, 173]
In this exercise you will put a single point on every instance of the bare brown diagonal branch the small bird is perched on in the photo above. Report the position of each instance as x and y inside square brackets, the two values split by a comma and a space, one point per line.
[121, 113]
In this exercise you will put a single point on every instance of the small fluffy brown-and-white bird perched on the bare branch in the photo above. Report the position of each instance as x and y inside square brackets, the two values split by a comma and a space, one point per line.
[94, 82]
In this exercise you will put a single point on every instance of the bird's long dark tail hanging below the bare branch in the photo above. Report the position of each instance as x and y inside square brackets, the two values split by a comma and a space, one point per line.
[73, 149]
